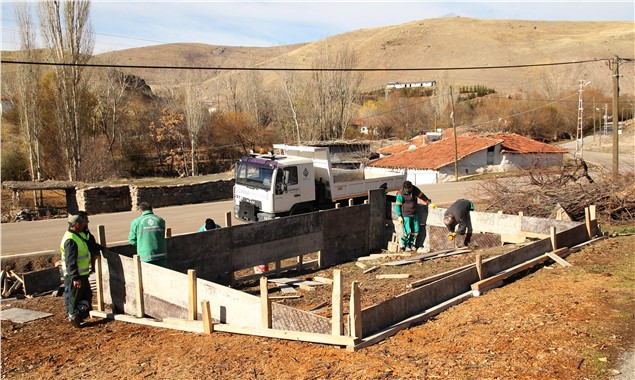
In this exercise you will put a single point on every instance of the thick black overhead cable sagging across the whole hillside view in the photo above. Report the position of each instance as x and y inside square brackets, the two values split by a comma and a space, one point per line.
[343, 69]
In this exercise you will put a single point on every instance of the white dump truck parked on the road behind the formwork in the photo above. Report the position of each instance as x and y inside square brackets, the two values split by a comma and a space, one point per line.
[300, 179]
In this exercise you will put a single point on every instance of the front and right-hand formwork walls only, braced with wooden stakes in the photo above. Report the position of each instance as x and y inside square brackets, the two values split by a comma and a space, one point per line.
[139, 290]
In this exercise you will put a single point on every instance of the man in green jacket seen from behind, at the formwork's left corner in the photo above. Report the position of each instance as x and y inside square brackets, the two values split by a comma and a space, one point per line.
[147, 233]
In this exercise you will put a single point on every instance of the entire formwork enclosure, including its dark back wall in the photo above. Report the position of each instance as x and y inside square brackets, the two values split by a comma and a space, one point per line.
[338, 235]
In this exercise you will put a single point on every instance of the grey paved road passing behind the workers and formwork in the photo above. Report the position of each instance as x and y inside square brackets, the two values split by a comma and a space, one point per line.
[42, 237]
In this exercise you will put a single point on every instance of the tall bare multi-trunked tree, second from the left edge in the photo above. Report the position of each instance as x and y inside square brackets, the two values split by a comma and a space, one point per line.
[69, 39]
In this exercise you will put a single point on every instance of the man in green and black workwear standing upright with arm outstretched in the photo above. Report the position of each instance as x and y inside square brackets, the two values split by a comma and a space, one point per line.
[406, 209]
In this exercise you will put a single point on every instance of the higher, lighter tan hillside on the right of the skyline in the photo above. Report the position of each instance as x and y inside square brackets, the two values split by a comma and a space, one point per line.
[465, 42]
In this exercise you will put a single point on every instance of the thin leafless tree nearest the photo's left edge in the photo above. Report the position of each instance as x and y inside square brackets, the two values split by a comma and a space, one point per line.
[28, 77]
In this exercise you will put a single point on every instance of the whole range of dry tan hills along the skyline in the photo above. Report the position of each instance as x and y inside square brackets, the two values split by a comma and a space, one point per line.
[427, 45]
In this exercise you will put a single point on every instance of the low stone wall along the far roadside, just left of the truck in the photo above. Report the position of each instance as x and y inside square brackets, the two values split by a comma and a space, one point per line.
[104, 199]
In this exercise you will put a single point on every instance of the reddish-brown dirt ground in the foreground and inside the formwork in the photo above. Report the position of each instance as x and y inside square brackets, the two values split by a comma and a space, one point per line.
[549, 323]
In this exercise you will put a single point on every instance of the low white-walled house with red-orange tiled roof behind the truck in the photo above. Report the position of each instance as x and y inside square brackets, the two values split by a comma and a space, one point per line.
[435, 162]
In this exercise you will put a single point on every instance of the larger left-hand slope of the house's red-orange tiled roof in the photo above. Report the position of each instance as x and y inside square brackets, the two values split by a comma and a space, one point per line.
[435, 155]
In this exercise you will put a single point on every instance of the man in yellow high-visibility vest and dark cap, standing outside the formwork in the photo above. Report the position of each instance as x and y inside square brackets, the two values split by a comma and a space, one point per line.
[76, 269]
